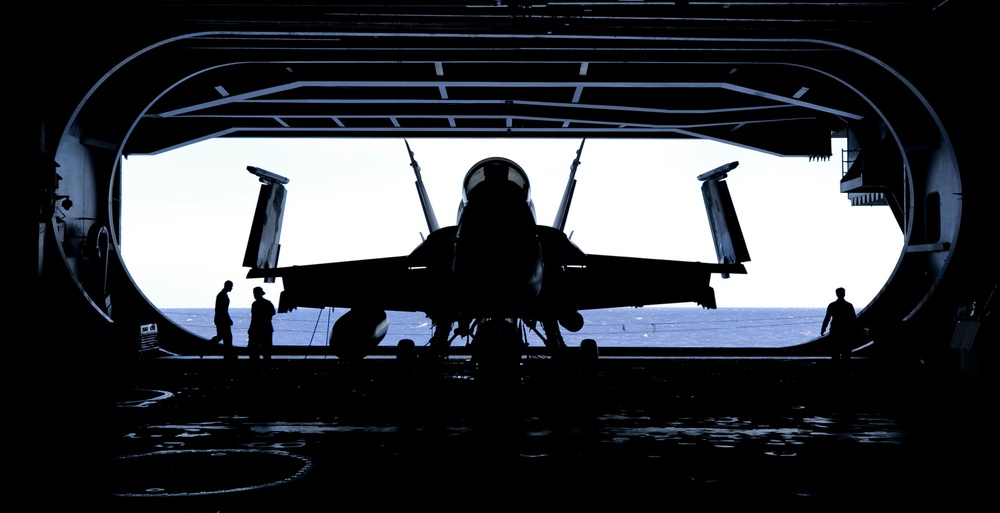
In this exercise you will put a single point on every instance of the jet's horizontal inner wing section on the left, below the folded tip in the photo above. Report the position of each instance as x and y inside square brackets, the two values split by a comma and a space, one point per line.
[383, 283]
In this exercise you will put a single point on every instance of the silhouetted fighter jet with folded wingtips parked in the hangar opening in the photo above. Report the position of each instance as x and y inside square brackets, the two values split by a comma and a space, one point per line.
[495, 276]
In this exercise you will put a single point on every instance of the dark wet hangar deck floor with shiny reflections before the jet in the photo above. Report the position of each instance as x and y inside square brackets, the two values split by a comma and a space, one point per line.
[312, 434]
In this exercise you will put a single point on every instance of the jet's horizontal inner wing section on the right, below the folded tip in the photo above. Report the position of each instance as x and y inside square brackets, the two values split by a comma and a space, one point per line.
[613, 281]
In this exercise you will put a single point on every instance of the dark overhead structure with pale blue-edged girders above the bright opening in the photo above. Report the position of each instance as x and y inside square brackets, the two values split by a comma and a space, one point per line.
[419, 91]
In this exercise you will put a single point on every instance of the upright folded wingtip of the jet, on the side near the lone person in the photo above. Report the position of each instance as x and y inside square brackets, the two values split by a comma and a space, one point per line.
[730, 247]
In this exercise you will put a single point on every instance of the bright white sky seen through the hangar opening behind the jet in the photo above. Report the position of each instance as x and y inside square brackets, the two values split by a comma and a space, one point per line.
[186, 213]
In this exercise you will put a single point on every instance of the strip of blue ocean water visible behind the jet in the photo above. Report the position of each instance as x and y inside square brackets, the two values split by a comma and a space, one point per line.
[652, 327]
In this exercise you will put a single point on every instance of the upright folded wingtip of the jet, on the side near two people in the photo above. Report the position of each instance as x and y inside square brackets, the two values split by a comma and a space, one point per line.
[263, 244]
